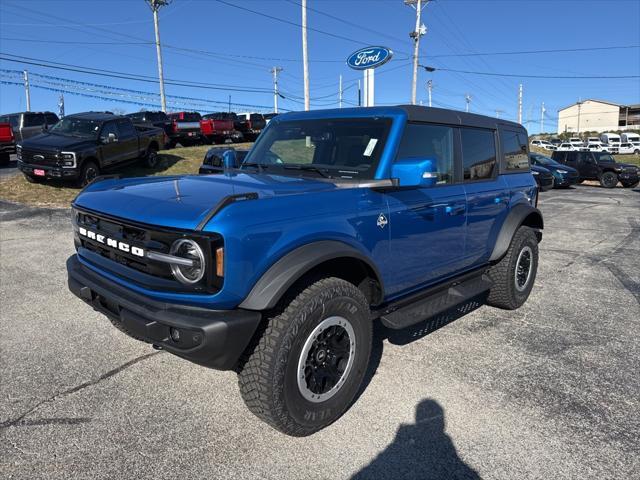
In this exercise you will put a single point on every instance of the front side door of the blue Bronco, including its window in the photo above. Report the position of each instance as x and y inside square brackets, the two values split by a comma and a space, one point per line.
[427, 224]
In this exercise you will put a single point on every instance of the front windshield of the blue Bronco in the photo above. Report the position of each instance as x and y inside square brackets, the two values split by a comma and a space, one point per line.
[343, 148]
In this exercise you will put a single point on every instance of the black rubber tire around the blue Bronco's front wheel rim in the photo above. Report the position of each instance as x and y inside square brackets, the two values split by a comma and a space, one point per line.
[268, 377]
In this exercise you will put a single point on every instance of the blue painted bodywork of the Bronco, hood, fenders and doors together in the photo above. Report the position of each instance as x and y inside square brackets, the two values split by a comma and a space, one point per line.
[432, 232]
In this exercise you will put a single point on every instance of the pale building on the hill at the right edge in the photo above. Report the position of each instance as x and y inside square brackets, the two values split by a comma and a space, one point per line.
[598, 116]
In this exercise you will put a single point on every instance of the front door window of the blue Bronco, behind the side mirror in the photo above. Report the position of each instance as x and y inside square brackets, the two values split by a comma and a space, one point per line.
[430, 141]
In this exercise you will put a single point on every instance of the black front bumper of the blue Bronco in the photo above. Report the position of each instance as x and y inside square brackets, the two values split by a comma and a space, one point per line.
[213, 338]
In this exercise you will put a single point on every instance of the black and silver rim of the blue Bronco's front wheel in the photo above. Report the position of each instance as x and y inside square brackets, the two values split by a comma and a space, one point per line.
[326, 359]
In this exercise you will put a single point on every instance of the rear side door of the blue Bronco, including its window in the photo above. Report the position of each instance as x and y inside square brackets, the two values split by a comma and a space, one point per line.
[487, 191]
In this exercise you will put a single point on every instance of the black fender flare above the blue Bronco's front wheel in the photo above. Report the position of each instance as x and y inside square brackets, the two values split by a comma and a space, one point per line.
[273, 284]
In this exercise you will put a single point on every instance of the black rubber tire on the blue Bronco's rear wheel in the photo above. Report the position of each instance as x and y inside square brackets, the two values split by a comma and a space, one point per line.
[503, 293]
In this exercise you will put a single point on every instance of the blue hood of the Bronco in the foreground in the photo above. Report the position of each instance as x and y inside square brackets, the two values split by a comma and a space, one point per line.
[183, 201]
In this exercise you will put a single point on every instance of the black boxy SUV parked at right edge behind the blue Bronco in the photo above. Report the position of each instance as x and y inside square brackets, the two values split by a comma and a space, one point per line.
[600, 166]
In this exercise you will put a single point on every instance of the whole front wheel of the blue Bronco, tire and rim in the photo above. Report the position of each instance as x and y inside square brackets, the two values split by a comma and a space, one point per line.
[309, 363]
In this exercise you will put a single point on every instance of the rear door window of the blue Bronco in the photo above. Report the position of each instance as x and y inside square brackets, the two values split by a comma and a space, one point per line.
[478, 153]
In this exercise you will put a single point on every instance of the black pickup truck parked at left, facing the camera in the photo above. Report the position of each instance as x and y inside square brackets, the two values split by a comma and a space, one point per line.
[82, 145]
